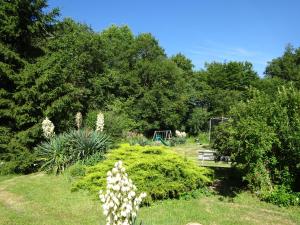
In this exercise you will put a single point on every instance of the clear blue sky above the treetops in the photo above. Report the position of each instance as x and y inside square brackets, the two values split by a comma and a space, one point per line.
[203, 30]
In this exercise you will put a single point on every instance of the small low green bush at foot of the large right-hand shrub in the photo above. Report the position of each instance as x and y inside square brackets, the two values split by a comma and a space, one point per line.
[282, 196]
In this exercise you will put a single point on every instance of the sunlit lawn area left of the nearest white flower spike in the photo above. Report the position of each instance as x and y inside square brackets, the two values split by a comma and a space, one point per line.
[42, 199]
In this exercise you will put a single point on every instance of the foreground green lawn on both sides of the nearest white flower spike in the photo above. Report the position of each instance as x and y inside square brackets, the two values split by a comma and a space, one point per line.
[40, 199]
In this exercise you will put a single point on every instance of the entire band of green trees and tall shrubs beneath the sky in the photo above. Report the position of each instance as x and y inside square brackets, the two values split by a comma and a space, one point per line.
[57, 68]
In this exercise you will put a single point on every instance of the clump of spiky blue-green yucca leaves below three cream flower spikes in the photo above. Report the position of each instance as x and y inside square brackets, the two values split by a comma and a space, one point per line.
[63, 150]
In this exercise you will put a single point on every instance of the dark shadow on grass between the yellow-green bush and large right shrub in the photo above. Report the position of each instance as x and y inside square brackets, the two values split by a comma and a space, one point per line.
[227, 181]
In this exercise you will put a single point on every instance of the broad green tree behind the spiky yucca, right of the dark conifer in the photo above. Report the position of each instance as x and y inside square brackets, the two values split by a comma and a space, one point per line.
[58, 84]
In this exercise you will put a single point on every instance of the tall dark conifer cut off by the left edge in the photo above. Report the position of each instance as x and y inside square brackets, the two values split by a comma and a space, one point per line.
[23, 27]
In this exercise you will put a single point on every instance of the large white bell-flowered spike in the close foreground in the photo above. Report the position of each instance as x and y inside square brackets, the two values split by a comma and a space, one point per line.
[120, 202]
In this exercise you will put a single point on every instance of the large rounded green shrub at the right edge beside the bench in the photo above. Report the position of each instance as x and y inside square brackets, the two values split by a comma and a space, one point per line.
[263, 139]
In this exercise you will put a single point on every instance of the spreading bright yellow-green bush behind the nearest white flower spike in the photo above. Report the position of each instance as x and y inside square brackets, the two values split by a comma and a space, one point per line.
[156, 170]
